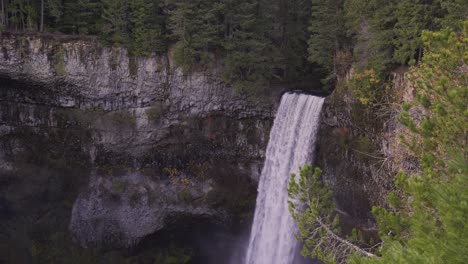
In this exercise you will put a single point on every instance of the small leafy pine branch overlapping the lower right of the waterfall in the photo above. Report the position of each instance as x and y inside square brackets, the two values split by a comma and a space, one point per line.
[311, 206]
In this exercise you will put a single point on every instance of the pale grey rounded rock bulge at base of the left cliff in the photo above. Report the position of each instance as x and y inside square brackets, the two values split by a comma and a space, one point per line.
[121, 211]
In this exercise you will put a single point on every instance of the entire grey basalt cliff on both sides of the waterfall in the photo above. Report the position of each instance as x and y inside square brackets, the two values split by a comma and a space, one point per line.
[102, 150]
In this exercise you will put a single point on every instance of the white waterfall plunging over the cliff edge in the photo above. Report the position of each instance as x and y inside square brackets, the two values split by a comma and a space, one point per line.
[292, 141]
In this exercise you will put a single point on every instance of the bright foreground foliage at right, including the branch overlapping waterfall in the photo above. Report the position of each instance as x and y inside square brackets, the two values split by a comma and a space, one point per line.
[426, 220]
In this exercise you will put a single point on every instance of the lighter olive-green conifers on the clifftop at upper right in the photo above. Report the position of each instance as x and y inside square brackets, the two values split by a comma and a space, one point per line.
[388, 33]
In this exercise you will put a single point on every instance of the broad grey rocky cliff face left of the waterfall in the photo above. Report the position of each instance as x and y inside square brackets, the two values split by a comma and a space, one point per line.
[125, 144]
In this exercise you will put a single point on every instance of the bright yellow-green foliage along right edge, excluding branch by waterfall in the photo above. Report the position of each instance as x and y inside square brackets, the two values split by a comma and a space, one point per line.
[427, 223]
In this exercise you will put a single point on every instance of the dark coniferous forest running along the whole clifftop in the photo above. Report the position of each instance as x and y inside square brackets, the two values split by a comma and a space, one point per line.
[261, 42]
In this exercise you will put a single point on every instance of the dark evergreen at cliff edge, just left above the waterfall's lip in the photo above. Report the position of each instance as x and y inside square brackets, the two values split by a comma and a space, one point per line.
[250, 53]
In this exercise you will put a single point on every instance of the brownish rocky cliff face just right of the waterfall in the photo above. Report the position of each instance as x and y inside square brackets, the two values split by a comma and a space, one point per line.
[360, 152]
